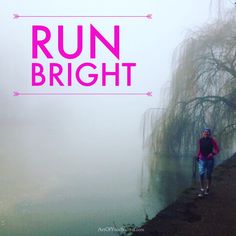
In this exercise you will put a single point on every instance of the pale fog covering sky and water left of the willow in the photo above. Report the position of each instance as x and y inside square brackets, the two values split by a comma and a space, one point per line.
[72, 164]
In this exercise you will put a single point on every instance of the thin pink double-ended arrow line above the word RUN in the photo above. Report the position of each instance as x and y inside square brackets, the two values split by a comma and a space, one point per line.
[17, 16]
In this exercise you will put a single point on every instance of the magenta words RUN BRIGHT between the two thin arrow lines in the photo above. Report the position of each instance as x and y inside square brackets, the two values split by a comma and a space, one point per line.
[67, 74]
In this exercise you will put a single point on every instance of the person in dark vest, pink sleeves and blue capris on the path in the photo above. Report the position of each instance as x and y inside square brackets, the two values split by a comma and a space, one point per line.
[207, 149]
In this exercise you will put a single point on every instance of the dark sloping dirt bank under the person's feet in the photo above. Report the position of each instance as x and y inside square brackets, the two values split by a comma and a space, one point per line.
[189, 215]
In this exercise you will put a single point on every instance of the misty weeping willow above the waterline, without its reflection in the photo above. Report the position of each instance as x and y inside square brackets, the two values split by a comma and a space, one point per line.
[203, 90]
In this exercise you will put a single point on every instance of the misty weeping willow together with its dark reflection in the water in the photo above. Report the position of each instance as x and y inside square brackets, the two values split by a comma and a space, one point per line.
[202, 94]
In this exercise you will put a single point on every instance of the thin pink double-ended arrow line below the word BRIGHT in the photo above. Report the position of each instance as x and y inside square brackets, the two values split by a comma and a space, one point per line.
[16, 94]
